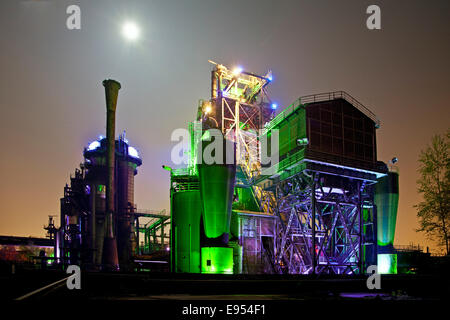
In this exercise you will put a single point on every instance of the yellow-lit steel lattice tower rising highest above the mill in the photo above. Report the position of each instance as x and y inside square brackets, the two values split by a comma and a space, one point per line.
[241, 107]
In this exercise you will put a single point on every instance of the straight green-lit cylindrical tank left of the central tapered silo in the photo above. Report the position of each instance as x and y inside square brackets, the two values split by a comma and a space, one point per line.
[186, 212]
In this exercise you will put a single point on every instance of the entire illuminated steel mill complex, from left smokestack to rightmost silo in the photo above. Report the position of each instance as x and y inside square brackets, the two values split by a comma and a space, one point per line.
[258, 191]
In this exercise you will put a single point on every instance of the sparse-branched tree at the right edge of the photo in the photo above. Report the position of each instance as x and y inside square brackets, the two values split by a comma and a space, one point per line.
[434, 185]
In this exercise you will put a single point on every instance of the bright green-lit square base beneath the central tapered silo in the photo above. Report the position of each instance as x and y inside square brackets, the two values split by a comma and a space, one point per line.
[217, 260]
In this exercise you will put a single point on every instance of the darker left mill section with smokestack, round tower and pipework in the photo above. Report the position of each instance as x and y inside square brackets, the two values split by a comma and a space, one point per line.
[100, 226]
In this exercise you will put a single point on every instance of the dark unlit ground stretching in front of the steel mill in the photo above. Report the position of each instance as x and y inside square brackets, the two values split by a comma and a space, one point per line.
[231, 296]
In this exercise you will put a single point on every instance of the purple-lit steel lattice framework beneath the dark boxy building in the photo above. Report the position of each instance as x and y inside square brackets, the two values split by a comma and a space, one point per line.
[324, 228]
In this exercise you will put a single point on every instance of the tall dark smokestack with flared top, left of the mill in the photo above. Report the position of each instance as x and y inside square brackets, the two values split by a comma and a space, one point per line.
[110, 256]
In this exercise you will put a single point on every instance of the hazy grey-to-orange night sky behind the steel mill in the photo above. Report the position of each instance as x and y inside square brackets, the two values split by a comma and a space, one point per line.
[52, 101]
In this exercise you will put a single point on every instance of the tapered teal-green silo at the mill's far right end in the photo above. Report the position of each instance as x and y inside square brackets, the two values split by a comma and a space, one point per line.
[386, 200]
